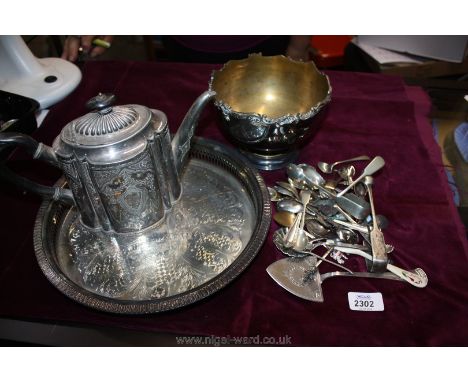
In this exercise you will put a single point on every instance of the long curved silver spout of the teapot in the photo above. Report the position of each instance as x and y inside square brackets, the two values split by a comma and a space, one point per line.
[181, 141]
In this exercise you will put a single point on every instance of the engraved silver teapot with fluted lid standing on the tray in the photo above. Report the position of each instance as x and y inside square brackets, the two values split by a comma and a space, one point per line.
[119, 162]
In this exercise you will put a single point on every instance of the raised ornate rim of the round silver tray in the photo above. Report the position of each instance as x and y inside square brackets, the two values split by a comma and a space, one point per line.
[247, 175]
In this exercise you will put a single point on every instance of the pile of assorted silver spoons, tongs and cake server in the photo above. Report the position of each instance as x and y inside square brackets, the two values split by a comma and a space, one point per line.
[328, 220]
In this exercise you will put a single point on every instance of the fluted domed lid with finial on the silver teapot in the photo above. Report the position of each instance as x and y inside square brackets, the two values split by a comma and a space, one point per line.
[107, 124]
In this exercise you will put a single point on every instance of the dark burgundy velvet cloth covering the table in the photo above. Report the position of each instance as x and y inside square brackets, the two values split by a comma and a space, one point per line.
[369, 114]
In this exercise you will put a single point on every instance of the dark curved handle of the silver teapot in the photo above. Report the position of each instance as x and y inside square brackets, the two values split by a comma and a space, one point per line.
[38, 151]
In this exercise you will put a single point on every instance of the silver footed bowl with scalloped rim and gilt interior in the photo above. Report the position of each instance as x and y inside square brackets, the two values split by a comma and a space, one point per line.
[267, 105]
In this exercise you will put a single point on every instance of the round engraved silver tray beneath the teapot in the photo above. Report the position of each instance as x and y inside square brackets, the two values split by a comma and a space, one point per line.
[205, 241]
